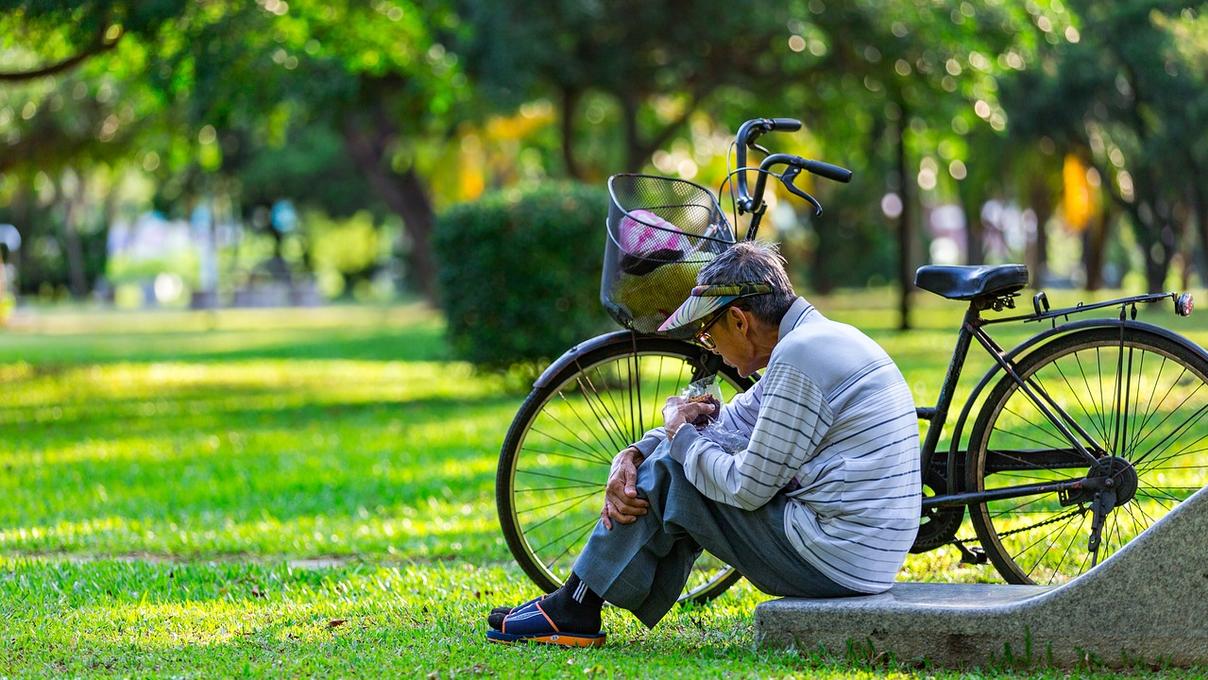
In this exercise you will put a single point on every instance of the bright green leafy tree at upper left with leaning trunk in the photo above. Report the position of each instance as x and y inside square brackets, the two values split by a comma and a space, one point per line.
[376, 73]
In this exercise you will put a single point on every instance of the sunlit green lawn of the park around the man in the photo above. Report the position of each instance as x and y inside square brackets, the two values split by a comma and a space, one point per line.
[210, 495]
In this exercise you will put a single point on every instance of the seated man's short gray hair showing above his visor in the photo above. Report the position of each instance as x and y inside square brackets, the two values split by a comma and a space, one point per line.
[753, 261]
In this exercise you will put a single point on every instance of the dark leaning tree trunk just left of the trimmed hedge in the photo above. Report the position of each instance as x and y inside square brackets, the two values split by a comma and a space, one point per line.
[404, 194]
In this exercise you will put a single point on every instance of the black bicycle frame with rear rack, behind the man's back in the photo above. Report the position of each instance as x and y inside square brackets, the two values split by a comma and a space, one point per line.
[973, 329]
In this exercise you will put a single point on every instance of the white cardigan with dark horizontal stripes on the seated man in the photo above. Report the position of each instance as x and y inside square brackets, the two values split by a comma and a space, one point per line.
[833, 414]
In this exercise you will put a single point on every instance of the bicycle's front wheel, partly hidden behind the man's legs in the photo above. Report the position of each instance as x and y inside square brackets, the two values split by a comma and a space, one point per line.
[559, 452]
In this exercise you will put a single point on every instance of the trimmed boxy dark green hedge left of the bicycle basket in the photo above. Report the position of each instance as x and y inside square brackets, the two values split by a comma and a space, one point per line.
[520, 274]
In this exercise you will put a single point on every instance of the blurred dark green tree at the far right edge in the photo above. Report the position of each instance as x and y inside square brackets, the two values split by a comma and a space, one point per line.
[1114, 90]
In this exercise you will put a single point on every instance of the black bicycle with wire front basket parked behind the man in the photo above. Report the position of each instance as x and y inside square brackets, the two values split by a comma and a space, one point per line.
[1060, 452]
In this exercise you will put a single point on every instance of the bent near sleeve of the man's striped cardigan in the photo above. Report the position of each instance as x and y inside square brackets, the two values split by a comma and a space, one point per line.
[793, 420]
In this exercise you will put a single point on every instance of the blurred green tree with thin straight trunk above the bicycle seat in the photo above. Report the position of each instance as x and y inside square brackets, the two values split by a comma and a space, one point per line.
[924, 73]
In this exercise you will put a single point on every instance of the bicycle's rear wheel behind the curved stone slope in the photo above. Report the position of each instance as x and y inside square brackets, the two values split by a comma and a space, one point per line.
[1024, 537]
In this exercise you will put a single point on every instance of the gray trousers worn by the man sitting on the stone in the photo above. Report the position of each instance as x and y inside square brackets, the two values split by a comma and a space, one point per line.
[644, 566]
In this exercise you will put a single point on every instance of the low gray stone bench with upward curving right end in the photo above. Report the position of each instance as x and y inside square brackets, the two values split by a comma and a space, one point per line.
[1147, 603]
